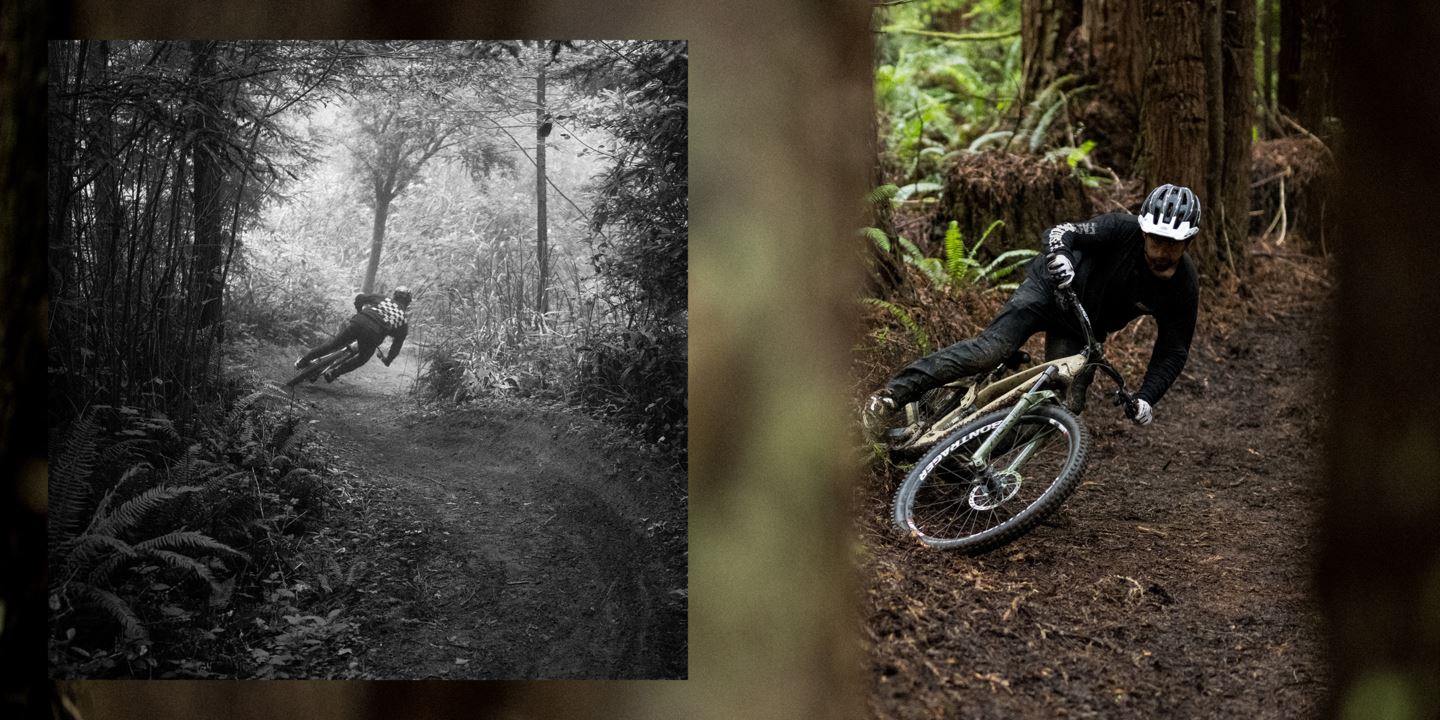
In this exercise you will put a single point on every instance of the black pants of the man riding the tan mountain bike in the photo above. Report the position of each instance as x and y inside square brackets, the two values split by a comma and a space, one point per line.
[1030, 310]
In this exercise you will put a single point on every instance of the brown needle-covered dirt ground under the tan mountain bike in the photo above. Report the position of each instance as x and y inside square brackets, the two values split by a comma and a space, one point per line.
[1176, 582]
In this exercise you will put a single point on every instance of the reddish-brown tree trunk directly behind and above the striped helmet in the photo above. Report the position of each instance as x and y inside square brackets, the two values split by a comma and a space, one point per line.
[1174, 127]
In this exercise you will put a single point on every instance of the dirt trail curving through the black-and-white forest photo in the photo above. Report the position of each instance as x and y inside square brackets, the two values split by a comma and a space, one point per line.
[496, 541]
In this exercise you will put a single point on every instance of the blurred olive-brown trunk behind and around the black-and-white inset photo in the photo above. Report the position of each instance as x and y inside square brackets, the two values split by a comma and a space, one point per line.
[780, 126]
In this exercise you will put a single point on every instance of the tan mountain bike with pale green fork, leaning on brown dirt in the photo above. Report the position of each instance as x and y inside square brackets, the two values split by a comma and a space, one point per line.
[1003, 450]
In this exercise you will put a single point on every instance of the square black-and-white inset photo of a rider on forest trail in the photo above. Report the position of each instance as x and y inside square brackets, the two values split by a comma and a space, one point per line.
[368, 359]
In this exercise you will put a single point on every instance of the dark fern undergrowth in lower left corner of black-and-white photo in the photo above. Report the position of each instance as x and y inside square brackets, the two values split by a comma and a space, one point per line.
[165, 549]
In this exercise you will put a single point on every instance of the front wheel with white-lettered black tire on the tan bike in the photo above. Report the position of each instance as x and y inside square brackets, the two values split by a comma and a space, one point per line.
[950, 503]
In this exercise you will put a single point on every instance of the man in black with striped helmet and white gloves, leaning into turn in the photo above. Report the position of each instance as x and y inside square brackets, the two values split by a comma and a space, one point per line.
[1121, 267]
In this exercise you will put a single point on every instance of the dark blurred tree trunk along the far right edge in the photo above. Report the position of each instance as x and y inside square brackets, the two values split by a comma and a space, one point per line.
[1380, 562]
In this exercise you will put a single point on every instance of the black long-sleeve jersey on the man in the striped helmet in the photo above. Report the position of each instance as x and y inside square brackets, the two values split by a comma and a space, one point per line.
[1115, 286]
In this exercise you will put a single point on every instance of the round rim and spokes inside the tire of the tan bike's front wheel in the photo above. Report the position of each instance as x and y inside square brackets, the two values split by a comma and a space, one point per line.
[953, 503]
